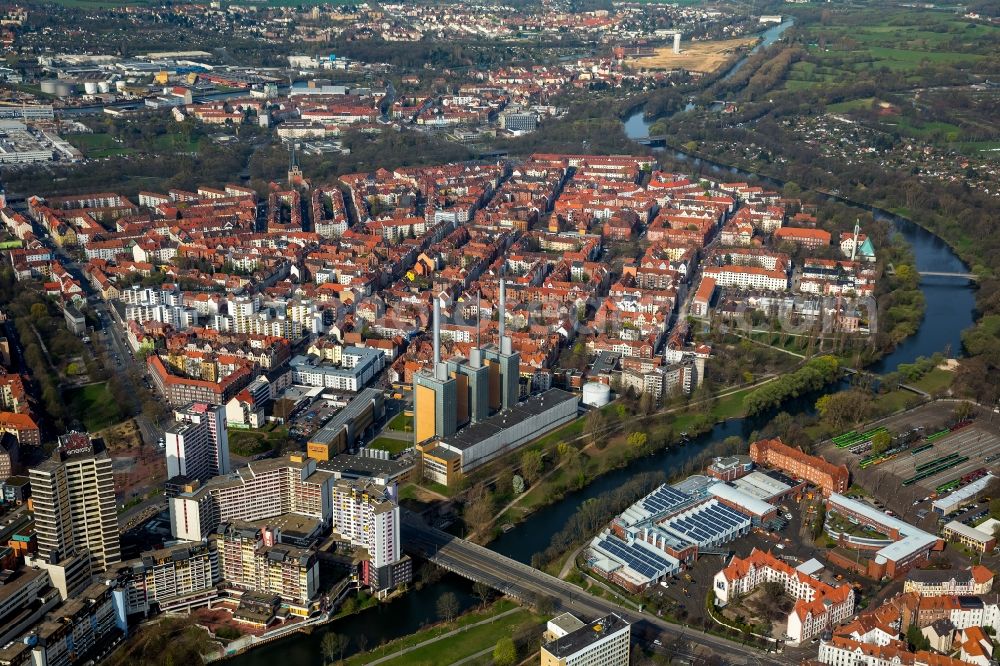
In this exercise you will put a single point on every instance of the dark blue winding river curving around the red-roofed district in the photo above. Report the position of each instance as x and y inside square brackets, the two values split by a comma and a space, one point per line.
[950, 309]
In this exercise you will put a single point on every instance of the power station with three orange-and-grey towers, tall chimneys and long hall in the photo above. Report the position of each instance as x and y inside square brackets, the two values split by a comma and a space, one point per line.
[466, 410]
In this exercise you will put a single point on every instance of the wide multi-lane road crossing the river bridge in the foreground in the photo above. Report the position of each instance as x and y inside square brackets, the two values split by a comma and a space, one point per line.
[521, 581]
